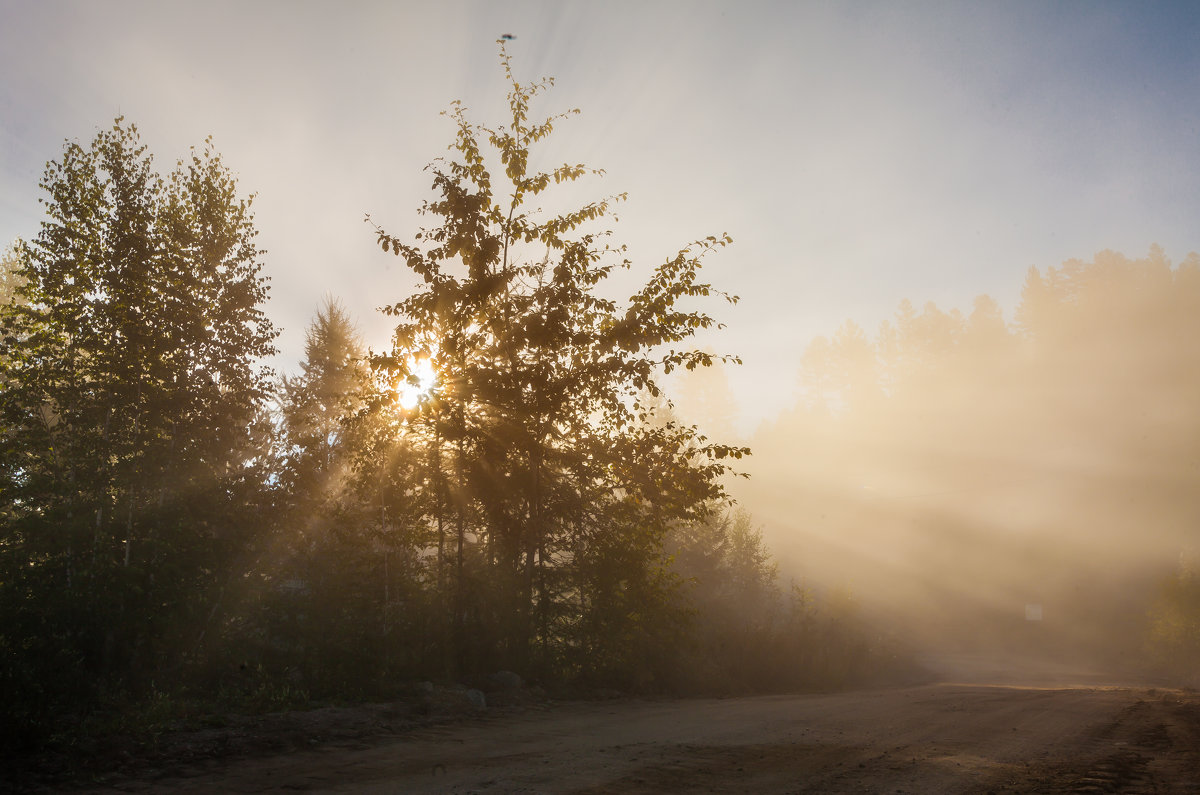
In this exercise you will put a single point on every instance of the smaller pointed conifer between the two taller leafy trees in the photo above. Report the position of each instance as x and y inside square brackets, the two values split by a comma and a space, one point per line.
[346, 558]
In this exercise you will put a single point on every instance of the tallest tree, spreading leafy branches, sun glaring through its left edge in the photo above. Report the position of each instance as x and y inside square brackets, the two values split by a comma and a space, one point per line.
[533, 429]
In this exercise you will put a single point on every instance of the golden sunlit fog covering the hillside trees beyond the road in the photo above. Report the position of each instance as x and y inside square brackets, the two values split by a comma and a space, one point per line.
[991, 480]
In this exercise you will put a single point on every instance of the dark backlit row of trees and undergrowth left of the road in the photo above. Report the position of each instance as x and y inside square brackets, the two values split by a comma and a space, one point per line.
[506, 487]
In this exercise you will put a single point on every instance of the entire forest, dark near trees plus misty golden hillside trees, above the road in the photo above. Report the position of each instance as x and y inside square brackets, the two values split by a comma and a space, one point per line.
[509, 486]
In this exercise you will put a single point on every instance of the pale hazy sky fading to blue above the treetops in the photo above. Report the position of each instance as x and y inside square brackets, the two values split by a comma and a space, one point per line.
[859, 153]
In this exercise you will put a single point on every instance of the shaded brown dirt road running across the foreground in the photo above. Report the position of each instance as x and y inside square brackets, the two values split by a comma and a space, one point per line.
[945, 738]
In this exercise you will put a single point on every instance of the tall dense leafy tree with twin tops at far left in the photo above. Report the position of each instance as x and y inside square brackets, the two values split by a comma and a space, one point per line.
[133, 408]
